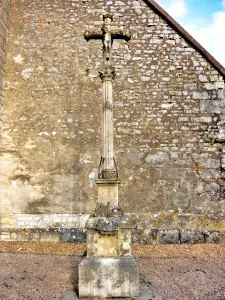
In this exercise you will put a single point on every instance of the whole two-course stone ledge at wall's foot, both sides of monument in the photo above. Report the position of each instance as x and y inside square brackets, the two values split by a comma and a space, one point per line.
[149, 229]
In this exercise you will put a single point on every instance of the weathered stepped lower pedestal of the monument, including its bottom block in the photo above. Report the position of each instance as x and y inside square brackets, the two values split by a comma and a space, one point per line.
[109, 270]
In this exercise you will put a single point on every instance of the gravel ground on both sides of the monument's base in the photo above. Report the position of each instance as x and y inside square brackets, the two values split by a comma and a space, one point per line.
[38, 276]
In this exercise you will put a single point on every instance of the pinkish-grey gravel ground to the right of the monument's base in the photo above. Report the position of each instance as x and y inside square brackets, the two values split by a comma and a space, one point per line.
[185, 278]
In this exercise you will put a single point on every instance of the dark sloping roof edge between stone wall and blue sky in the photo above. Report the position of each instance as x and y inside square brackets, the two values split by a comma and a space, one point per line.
[174, 24]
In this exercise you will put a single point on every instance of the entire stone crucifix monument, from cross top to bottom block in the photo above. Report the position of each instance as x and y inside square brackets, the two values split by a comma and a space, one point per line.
[109, 270]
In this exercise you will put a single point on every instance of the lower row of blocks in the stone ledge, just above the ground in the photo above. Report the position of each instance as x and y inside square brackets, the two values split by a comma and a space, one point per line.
[139, 236]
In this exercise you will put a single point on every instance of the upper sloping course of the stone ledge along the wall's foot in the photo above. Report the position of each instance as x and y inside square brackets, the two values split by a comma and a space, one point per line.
[160, 220]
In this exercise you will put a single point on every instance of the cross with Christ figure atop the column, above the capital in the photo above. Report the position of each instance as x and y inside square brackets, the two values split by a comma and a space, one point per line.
[107, 34]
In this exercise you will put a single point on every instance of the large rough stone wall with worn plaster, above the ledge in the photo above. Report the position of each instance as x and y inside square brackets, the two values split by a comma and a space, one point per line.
[168, 113]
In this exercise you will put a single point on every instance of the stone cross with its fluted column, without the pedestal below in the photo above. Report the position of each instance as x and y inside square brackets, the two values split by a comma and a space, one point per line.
[107, 34]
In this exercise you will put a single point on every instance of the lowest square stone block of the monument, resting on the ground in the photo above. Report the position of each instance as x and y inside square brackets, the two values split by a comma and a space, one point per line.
[108, 277]
